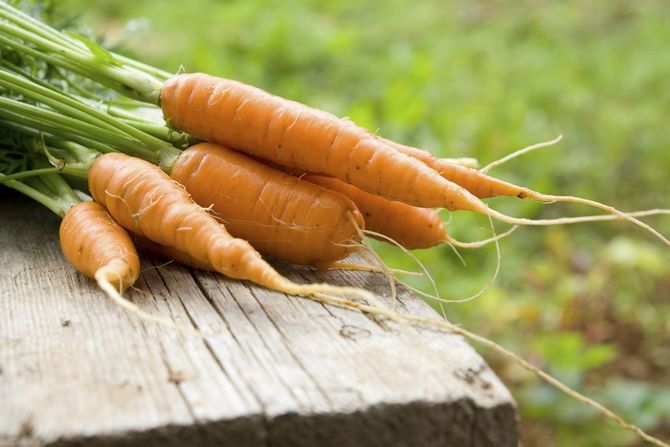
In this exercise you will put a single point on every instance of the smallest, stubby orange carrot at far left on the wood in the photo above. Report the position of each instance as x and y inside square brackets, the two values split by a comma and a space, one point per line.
[98, 247]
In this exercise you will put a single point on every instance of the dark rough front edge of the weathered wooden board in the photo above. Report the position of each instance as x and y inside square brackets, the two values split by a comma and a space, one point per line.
[417, 424]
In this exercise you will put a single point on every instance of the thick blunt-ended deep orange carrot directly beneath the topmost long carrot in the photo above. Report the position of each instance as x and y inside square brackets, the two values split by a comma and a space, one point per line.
[277, 213]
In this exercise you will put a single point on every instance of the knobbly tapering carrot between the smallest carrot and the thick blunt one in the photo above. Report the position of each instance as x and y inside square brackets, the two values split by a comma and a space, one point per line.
[146, 201]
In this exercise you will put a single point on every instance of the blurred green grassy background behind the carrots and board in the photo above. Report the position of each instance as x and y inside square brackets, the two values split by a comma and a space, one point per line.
[589, 303]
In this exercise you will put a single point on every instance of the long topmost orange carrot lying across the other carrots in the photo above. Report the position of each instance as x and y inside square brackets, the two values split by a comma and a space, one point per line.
[292, 134]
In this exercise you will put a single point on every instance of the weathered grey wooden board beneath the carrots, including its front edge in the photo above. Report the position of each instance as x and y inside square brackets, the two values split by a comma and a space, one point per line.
[279, 371]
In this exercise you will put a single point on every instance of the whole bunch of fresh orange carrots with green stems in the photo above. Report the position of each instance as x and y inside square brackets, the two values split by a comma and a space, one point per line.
[238, 171]
